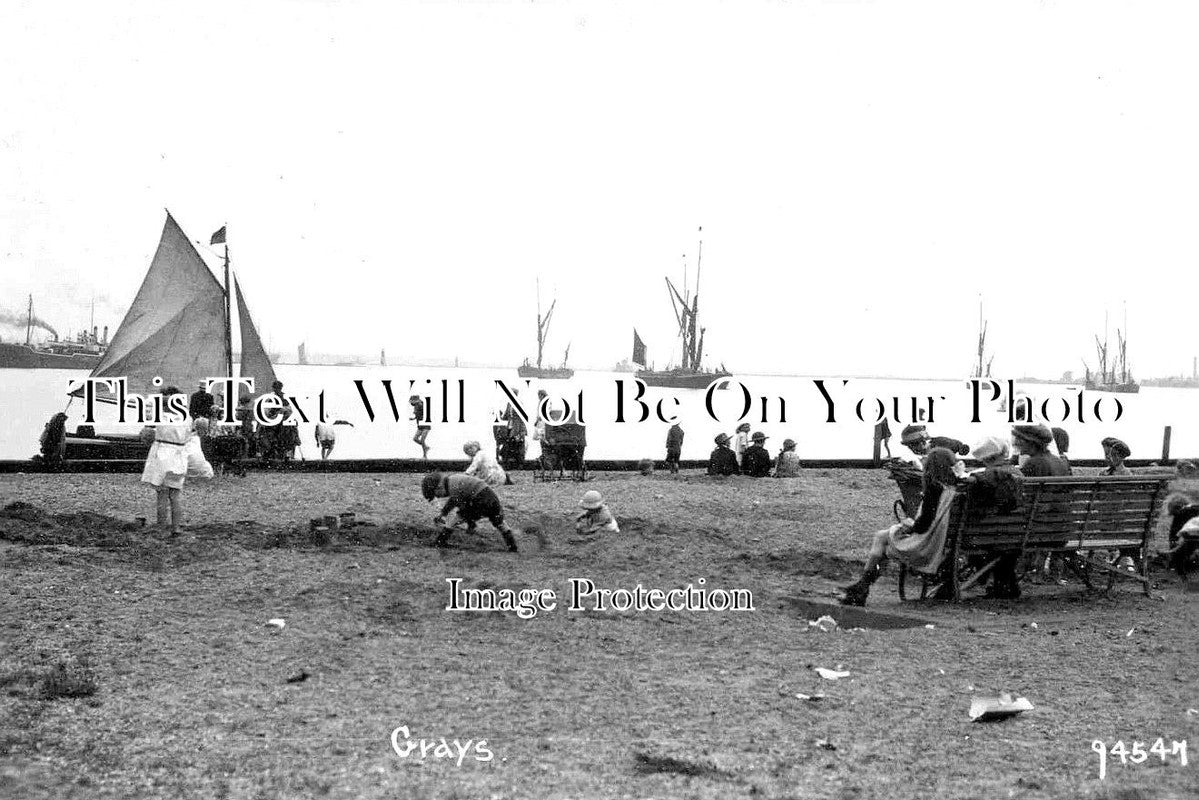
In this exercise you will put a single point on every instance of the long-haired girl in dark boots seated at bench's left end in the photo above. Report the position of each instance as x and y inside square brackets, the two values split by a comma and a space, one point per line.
[919, 544]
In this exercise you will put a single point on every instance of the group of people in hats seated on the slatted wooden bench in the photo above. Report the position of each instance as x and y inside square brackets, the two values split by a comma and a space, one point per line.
[995, 489]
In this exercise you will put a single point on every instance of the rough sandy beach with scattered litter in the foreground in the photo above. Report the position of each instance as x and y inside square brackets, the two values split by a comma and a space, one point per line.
[188, 694]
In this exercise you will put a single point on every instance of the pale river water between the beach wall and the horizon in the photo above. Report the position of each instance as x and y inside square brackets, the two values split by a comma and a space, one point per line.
[29, 398]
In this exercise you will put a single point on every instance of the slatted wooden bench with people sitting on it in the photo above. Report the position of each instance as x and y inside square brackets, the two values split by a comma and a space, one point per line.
[1095, 520]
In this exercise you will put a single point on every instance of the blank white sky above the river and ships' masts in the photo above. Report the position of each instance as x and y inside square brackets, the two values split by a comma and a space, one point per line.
[401, 176]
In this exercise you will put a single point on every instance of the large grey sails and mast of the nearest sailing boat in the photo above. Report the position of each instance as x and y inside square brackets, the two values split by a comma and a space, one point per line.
[179, 327]
